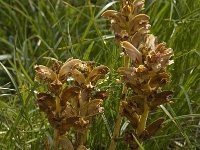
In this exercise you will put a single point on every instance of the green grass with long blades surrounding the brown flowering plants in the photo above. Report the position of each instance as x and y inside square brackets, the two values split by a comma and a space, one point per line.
[32, 30]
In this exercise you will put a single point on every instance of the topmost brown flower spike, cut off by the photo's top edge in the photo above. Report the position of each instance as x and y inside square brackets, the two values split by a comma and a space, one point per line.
[129, 23]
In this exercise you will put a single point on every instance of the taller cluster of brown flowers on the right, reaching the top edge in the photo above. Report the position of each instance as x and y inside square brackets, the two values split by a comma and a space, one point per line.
[145, 73]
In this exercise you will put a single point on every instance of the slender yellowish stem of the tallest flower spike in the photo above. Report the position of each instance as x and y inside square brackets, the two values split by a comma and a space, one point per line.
[119, 117]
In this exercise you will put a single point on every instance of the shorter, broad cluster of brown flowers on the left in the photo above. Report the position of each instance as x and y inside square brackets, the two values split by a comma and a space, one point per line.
[71, 100]
